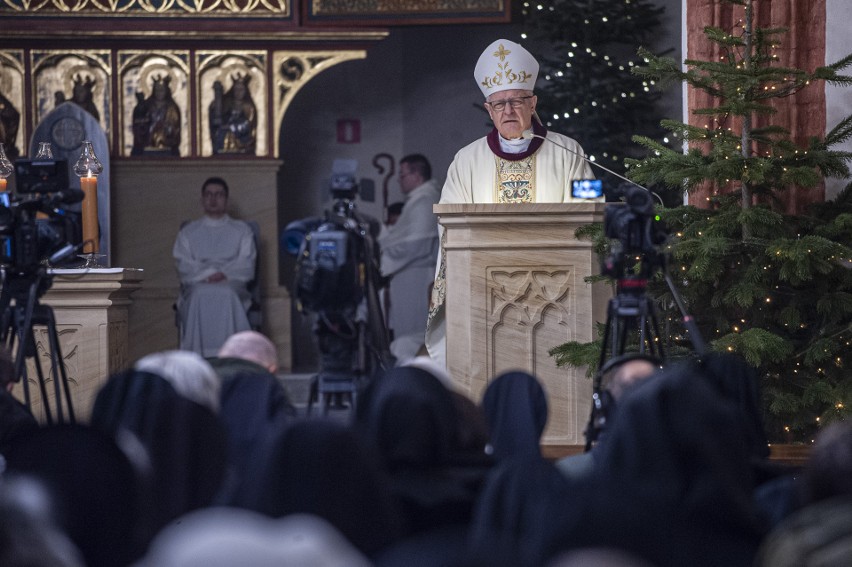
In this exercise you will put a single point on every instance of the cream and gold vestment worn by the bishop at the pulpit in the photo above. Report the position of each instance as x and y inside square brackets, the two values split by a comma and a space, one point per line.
[475, 176]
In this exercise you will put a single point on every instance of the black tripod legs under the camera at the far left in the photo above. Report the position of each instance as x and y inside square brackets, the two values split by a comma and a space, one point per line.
[17, 334]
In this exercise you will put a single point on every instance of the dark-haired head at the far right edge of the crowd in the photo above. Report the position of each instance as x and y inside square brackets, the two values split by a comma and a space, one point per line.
[828, 471]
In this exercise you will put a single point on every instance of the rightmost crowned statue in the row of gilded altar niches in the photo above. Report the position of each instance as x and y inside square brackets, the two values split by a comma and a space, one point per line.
[233, 117]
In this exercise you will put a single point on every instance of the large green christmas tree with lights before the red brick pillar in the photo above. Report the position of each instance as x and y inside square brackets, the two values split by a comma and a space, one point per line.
[774, 287]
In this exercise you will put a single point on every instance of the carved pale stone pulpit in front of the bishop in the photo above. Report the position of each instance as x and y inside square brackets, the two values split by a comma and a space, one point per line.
[516, 289]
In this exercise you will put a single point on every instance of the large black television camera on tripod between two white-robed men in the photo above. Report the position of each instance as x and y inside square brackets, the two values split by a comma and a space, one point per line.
[338, 279]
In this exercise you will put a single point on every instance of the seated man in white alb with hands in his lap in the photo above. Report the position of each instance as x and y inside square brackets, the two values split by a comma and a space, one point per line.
[215, 258]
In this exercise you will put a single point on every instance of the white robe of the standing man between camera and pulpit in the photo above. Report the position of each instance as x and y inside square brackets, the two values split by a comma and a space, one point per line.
[409, 251]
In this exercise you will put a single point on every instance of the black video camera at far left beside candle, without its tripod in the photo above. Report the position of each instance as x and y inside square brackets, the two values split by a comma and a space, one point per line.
[27, 238]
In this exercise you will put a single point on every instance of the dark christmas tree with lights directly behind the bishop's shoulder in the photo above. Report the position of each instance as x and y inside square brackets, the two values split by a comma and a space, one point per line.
[585, 89]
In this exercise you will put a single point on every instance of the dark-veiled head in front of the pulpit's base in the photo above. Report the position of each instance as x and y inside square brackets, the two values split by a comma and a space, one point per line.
[515, 407]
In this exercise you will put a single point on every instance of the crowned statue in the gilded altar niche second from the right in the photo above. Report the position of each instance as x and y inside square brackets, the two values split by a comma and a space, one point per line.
[156, 120]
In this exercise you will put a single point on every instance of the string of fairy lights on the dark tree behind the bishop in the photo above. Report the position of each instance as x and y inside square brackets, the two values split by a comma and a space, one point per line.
[573, 55]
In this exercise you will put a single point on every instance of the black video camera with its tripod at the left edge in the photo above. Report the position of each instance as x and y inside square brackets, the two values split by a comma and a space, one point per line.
[36, 230]
